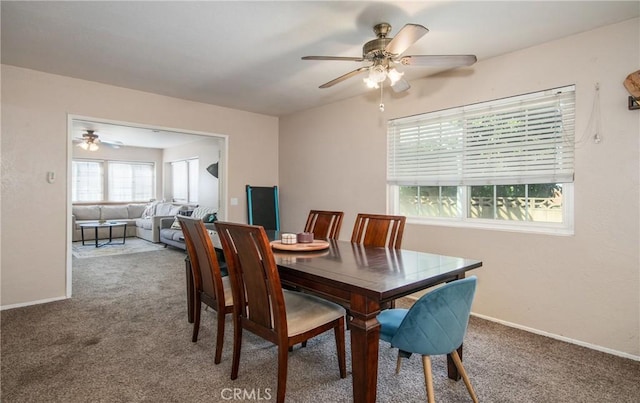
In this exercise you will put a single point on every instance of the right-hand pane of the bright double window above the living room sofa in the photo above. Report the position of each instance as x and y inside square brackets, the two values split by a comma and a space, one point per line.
[130, 181]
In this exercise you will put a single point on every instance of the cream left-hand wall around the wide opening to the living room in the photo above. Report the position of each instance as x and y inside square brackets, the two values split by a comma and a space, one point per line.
[35, 216]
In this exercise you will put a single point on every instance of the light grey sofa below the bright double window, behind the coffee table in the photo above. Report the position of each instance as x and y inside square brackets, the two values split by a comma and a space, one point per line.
[127, 213]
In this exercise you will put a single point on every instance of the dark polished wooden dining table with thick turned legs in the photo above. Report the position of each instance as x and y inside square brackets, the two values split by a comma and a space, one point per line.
[365, 279]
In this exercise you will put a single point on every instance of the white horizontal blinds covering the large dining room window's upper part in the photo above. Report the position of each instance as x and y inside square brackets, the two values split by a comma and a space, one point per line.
[523, 139]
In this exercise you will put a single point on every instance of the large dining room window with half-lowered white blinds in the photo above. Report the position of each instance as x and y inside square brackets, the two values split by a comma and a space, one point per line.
[506, 163]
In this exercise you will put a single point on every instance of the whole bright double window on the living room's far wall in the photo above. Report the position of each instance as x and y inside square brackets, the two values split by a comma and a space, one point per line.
[123, 182]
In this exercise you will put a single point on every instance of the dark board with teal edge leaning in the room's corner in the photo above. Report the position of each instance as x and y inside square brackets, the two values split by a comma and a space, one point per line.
[262, 207]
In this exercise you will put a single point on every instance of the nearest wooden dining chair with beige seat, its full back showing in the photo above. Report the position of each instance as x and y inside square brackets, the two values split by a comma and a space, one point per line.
[262, 307]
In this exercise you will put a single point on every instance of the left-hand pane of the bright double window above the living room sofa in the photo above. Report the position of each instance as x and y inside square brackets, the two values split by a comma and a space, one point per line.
[87, 180]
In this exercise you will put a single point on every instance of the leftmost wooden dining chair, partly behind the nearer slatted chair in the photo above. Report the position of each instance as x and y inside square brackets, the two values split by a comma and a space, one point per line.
[209, 285]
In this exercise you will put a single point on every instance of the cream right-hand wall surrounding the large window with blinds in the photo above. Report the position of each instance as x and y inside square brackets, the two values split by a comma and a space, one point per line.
[584, 287]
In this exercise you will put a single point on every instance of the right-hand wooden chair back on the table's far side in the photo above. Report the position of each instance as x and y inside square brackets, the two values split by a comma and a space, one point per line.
[378, 230]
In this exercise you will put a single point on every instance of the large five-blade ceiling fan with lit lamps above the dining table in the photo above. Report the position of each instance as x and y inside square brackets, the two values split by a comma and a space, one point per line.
[385, 53]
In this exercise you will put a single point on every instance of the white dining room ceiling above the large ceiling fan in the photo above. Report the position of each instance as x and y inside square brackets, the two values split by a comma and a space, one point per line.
[246, 55]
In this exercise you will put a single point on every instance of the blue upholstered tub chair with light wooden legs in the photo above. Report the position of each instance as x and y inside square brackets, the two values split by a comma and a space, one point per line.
[435, 325]
